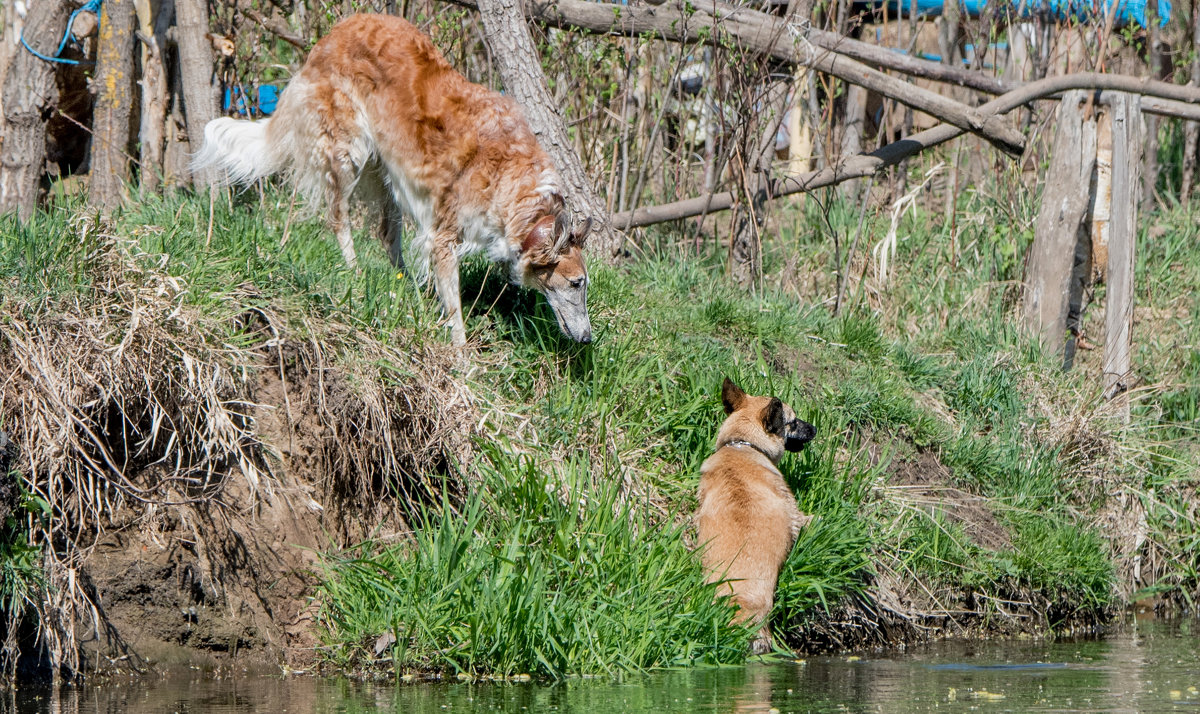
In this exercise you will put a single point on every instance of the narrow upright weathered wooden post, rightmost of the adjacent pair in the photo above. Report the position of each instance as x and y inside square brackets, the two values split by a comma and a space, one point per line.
[1129, 142]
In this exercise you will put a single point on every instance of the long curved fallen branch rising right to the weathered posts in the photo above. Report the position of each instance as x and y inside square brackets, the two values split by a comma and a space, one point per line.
[866, 165]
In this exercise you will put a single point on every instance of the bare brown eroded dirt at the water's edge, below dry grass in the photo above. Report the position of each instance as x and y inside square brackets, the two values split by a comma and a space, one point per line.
[226, 583]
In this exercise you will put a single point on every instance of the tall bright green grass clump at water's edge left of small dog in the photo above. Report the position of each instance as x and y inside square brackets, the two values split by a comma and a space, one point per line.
[536, 574]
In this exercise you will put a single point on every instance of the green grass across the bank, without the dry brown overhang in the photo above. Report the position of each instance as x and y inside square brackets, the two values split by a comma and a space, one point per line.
[567, 555]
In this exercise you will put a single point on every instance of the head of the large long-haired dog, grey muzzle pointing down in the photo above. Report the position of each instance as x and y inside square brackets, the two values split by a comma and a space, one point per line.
[554, 265]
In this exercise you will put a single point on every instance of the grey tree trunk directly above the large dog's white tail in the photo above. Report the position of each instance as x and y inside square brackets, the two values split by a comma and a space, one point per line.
[196, 69]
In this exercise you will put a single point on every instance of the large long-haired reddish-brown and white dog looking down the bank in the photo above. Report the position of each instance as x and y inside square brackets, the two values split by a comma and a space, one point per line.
[379, 113]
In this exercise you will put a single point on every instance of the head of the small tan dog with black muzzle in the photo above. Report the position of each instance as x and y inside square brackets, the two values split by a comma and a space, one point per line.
[766, 423]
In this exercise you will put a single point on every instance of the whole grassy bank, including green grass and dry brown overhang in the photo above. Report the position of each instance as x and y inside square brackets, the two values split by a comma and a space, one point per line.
[961, 479]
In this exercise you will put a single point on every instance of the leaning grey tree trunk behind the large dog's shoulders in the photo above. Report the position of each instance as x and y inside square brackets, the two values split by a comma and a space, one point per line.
[513, 50]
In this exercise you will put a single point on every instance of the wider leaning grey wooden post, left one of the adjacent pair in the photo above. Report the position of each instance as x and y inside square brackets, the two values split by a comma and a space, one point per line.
[1064, 211]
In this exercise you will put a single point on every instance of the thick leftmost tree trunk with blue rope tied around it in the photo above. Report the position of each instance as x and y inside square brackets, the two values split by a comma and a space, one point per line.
[29, 99]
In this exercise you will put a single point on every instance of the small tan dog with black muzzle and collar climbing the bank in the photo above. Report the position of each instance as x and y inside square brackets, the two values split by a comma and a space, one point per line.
[748, 519]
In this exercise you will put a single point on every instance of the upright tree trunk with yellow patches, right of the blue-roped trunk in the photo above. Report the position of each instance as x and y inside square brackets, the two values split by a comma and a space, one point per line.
[115, 106]
